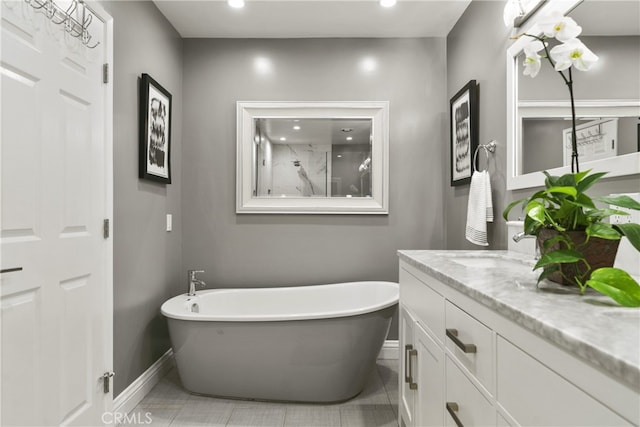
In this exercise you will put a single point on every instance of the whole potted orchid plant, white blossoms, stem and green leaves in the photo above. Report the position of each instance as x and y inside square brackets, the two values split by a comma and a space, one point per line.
[563, 205]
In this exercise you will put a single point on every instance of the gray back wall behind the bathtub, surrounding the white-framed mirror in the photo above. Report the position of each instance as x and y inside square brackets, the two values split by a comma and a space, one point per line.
[267, 250]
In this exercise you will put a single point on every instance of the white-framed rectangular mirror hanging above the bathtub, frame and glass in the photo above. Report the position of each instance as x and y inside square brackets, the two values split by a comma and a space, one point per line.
[312, 157]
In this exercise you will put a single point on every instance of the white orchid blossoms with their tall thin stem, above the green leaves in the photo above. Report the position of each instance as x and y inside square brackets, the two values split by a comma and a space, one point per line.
[569, 53]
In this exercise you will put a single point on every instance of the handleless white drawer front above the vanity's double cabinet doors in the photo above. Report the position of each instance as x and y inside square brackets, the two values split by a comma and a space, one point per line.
[424, 302]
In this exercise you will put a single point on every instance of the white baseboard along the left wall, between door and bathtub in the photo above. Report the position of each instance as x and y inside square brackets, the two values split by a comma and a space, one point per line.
[137, 390]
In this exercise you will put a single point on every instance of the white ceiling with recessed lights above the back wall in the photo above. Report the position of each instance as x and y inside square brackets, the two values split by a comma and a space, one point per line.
[312, 18]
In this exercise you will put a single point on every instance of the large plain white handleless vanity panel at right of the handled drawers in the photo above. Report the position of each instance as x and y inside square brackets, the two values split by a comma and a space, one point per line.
[533, 394]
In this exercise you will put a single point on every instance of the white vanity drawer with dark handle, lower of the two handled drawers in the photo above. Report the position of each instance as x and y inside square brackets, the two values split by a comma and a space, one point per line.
[465, 401]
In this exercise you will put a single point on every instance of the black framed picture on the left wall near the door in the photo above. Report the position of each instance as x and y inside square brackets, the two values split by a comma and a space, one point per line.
[155, 131]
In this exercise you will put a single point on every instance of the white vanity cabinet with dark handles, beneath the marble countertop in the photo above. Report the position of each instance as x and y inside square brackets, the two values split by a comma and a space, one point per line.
[464, 364]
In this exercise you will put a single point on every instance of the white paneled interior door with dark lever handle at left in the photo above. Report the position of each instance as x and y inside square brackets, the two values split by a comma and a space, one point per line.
[56, 311]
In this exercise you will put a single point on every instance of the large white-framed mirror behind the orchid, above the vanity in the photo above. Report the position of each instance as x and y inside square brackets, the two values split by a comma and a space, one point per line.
[607, 99]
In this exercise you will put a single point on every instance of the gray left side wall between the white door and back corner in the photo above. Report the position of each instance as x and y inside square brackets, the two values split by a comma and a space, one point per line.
[147, 259]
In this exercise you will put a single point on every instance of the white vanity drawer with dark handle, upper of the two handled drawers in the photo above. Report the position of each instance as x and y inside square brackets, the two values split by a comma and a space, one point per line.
[465, 331]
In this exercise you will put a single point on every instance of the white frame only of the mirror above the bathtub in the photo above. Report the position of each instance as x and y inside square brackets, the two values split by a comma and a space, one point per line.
[248, 111]
